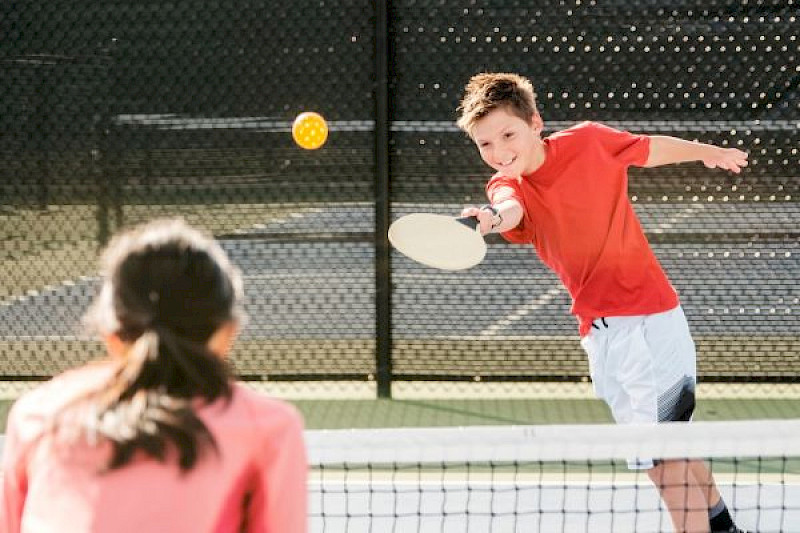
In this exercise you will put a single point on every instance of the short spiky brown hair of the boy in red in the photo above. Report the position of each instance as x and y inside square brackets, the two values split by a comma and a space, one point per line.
[488, 91]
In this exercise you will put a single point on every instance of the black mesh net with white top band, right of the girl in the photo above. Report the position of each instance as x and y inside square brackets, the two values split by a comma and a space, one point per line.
[545, 478]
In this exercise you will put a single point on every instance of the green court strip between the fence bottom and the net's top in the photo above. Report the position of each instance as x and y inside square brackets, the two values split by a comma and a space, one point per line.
[342, 414]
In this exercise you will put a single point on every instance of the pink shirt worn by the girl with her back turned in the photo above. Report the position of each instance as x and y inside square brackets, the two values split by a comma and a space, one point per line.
[258, 478]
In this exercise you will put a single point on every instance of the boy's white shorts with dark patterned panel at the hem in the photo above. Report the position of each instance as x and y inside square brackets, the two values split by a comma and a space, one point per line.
[644, 367]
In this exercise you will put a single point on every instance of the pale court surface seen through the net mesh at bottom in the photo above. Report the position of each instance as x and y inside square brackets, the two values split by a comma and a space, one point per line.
[517, 506]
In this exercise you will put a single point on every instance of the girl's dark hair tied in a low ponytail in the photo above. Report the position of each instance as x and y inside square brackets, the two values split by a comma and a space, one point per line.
[167, 288]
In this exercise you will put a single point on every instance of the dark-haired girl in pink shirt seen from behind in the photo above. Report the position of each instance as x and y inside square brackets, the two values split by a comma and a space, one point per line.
[158, 437]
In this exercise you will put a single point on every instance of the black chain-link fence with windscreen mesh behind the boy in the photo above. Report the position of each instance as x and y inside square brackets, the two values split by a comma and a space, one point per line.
[118, 112]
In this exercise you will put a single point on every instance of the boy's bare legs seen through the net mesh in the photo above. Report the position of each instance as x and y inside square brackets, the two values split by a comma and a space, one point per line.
[683, 496]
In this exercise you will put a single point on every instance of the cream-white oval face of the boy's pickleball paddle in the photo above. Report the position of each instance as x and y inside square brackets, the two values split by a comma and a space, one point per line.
[439, 241]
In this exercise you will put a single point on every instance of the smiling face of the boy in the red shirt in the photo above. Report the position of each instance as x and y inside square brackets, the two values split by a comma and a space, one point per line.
[509, 144]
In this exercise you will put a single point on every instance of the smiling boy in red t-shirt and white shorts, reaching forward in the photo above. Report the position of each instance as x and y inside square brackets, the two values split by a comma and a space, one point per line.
[566, 194]
